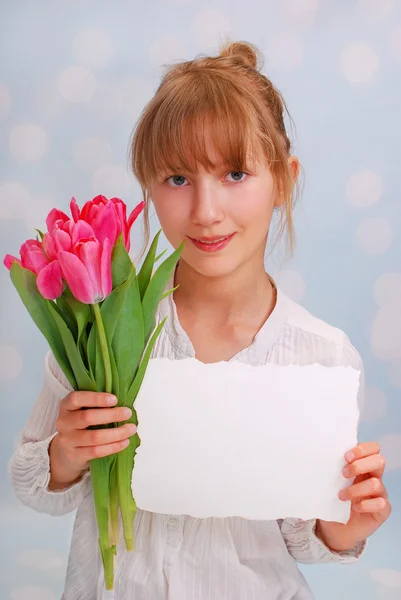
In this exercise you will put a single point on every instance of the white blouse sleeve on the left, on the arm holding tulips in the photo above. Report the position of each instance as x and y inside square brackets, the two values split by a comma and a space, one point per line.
[29, 467]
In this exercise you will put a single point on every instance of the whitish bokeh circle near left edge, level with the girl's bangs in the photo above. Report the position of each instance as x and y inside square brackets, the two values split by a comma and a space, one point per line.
[28, 142]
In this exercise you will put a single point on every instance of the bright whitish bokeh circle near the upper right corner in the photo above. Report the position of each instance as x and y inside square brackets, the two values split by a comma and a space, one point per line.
[359, 62]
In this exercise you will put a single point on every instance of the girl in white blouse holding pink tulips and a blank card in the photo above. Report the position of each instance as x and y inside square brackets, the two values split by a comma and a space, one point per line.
[212, 153]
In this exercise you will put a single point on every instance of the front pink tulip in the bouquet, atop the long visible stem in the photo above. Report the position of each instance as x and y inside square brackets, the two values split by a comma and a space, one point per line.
[87, 269]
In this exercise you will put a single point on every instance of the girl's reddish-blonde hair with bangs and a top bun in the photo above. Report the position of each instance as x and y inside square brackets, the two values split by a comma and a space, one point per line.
[247, 113]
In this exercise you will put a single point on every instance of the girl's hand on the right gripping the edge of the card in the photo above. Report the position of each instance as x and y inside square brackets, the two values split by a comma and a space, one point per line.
[370, 506]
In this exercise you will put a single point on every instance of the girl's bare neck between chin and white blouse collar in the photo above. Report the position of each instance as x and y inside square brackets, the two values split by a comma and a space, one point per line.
[248, 290]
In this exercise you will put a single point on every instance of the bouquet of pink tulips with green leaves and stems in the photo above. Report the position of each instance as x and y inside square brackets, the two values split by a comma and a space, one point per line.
[98, 315]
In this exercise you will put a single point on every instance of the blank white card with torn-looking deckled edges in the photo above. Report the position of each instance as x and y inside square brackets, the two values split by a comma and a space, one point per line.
[229, 439]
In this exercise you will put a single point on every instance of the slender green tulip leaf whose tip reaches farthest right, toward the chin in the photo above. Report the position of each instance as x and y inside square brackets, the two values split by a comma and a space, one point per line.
[156, 289]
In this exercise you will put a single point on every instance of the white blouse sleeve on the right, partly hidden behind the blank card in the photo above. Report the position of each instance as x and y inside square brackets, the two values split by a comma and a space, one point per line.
[300, 536]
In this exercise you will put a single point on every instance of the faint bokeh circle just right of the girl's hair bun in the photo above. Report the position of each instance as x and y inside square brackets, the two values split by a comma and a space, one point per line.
[284, 51]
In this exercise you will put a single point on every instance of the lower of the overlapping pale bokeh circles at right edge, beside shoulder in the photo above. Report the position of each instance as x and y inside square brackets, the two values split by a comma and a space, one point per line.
[386, 333]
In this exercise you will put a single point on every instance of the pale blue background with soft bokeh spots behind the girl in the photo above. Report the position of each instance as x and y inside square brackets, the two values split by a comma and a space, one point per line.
[73, 80]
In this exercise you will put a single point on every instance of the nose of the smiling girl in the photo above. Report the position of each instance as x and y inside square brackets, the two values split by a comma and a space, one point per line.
[207, 208]
